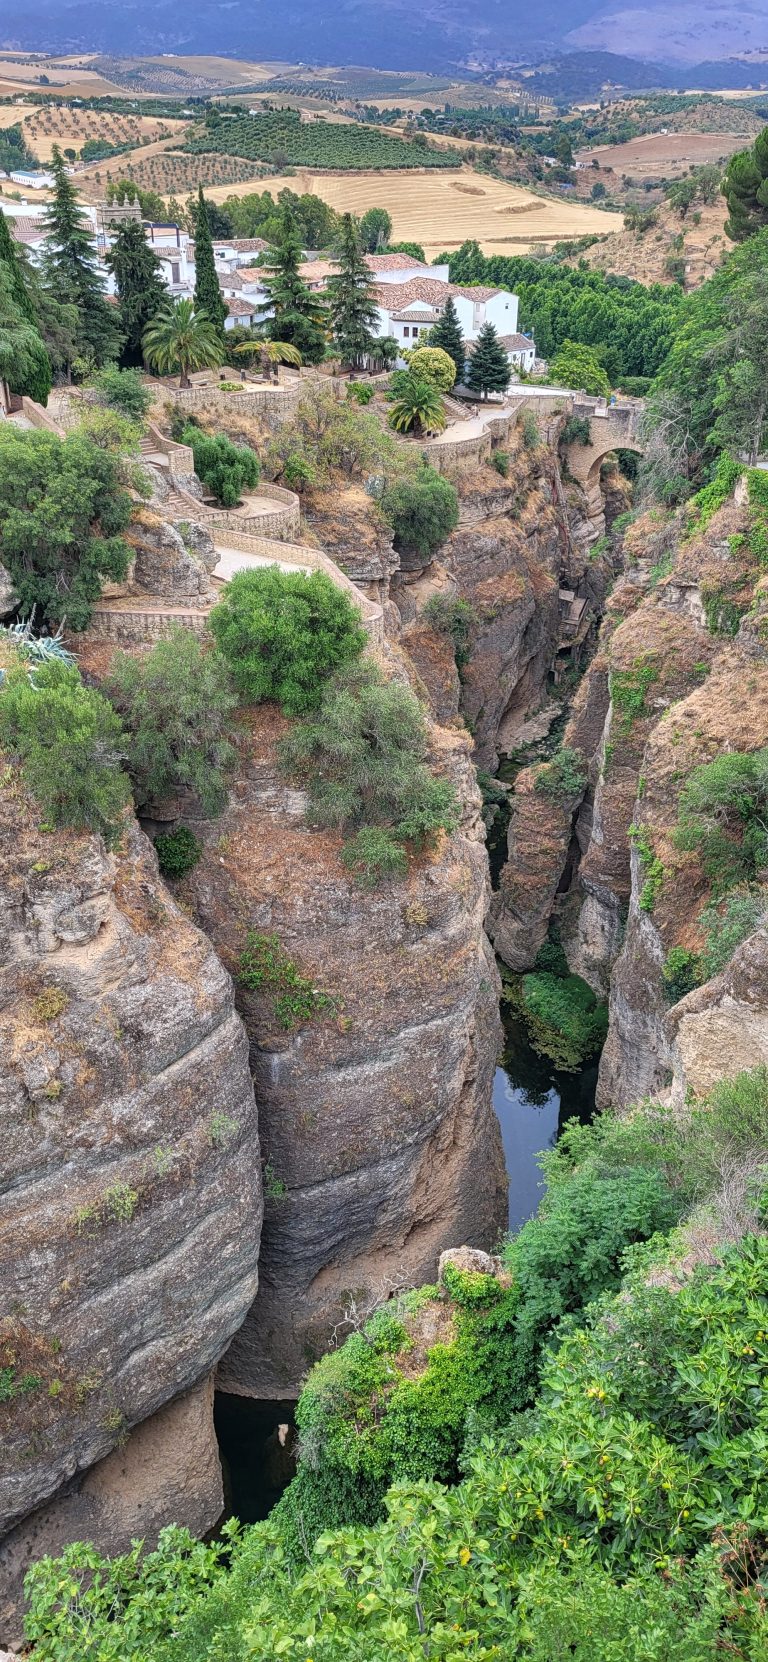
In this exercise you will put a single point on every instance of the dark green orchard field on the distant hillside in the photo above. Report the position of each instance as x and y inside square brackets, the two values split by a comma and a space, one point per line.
[283, 137]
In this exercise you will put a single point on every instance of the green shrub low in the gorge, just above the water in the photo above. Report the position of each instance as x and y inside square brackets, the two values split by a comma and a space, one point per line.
[564, 1018]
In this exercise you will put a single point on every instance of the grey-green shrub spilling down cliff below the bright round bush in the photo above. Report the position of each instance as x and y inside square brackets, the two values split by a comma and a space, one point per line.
[363, 760]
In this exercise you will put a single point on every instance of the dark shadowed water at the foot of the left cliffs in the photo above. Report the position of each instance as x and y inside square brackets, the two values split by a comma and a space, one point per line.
[258, 1453]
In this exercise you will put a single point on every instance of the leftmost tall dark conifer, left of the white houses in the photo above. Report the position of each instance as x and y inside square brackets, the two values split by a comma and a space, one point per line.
[71, 270]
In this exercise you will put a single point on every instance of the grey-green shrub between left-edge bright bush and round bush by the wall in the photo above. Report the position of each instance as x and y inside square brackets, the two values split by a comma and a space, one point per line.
[177, 707]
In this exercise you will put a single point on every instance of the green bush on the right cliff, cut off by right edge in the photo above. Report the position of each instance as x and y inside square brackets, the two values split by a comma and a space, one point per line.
[722, 819]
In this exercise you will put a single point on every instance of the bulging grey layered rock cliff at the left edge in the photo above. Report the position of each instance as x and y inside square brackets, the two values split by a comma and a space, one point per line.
[132, 1187]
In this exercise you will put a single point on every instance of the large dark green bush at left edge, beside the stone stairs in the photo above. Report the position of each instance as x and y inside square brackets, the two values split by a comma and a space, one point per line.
[62, 514]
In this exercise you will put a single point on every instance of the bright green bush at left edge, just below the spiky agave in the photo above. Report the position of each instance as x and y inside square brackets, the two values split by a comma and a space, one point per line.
[71, 744]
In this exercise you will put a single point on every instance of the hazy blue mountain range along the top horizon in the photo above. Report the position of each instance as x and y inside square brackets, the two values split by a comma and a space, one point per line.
[440, 36]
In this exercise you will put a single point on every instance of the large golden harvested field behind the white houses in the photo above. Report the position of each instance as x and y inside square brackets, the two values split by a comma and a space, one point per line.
[443, 210]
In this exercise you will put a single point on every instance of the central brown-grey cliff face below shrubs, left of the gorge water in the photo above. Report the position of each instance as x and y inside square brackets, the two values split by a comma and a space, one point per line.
[377, 1123]
